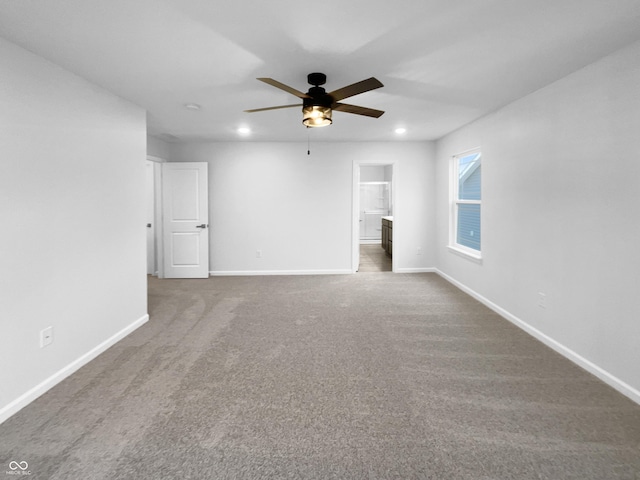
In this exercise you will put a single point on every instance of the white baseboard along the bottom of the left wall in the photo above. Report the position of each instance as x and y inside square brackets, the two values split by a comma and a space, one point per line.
[29, 396]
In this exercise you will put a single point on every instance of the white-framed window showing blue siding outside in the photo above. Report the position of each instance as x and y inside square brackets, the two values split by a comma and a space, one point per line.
[466, 205]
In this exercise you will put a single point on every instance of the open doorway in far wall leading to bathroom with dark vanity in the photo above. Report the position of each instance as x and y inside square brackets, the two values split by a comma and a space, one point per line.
[373, 211]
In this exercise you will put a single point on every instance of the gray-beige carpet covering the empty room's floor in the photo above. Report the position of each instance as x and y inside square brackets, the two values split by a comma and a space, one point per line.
[367, 376]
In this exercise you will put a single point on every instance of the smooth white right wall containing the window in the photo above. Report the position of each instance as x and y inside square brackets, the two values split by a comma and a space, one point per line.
[561, 213]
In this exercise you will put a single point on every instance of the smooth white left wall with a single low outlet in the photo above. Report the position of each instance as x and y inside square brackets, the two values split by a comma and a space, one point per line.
[72, 249]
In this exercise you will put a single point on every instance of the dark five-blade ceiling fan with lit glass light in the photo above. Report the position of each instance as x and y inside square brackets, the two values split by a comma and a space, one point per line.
[317, 105]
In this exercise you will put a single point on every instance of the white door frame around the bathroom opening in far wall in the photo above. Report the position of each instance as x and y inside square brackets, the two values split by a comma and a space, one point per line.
[355, 223]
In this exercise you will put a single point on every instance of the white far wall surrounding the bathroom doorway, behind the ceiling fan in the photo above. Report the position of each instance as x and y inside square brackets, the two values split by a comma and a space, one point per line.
[297, 209]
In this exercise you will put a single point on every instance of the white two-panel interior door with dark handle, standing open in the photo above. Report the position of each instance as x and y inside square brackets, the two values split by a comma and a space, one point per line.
[185, 220]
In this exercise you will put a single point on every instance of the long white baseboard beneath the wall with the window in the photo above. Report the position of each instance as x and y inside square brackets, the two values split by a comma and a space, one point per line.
[611, 380]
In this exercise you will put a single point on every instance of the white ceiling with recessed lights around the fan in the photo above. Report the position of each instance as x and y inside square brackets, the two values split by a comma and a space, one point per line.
[444, 63]
